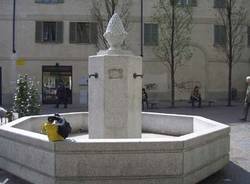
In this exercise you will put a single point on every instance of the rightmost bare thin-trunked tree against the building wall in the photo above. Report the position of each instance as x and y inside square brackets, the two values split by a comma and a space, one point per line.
[232, 16]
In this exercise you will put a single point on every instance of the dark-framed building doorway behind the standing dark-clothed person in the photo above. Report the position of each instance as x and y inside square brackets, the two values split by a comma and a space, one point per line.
[52, 77]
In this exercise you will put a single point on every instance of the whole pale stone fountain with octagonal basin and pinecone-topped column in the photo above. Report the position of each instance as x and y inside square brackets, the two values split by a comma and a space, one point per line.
[119, 144]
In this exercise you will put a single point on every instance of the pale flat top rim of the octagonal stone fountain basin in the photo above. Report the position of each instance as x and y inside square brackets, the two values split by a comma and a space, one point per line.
[215, 127]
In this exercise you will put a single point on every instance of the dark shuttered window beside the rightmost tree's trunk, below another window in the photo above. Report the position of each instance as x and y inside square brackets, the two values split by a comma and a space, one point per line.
[220, 35]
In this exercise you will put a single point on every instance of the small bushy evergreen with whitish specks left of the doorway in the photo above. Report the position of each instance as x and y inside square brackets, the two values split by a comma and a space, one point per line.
[26, 98]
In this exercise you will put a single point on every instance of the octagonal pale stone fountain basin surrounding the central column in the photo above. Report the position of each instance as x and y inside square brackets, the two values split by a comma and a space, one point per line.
[174, 149]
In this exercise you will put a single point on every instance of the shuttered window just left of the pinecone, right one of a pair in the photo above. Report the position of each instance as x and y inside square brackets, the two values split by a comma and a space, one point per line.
[83, 32]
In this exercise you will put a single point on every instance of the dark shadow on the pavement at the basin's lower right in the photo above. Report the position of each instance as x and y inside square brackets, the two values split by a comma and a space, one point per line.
[231, 174]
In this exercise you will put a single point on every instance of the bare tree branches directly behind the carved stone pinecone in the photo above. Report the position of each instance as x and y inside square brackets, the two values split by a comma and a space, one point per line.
[102, 11]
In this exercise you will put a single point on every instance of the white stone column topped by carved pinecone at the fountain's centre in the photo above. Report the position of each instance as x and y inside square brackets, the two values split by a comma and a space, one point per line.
[115, 92]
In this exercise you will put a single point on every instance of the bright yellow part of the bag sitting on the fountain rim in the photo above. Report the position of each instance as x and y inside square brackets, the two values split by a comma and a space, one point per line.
[51, 129]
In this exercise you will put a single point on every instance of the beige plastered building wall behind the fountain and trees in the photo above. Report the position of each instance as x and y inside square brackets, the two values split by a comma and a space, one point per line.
[205, 66]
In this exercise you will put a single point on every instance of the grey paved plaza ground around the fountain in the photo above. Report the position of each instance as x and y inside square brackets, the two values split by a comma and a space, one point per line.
[236, 172]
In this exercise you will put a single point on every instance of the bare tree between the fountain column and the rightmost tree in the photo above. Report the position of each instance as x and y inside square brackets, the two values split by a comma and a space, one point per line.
[175, 24]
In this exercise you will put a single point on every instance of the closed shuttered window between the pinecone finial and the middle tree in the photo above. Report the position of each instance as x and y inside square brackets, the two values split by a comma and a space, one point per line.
[151, 34]
